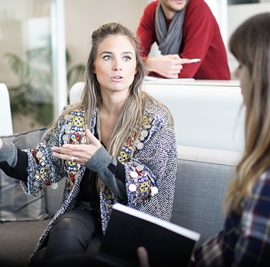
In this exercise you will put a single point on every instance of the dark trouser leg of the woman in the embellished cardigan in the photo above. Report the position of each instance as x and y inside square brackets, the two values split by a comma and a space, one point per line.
[71, 234]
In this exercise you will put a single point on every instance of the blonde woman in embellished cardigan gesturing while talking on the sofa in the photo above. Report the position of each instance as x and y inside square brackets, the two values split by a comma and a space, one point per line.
[116, 145]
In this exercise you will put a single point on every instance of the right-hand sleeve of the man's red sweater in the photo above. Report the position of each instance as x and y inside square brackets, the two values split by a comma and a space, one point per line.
[202, 39]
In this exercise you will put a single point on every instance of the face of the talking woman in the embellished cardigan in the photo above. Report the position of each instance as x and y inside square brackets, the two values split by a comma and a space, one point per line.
[115, 64]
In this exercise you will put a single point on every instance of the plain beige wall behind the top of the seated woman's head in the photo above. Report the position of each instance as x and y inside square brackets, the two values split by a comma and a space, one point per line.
[85, 16]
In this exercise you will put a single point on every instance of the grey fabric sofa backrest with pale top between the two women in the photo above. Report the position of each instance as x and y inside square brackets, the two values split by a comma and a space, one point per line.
[203, 176]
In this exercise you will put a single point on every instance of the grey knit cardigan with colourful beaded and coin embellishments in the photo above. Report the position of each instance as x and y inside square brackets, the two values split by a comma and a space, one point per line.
[150, 173]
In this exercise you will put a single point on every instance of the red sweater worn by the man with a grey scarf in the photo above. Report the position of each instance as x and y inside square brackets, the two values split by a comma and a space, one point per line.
[201, 39]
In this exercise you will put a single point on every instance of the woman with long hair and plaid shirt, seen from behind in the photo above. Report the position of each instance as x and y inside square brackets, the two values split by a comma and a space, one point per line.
[245, 239]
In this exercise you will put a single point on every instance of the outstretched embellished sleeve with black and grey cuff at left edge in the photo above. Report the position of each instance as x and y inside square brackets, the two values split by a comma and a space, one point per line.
[36, 168]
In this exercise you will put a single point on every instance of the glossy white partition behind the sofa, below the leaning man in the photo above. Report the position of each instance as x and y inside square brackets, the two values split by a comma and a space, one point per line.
[207, 113]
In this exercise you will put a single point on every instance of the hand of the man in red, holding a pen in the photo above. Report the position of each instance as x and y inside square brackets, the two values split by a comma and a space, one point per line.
[168, 66]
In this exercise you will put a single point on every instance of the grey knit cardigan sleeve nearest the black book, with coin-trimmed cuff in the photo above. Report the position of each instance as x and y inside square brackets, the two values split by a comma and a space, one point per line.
[151, 172]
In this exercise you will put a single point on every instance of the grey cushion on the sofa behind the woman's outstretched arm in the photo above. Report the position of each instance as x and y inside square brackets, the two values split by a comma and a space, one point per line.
[15, 205]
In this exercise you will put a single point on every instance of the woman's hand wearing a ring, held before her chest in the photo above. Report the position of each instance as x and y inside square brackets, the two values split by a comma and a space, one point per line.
[82, 153]
